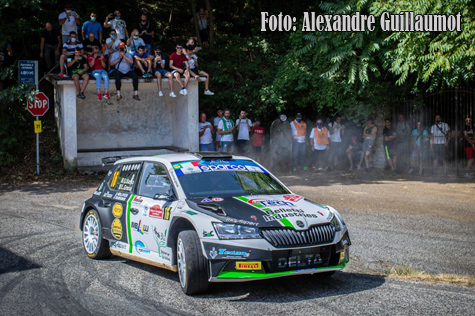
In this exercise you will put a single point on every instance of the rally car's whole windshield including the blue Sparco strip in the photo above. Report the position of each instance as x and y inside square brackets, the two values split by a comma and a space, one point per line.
[225, 178]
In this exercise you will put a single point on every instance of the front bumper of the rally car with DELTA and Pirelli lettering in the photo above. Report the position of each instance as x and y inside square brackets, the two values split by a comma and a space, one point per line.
[233, 263]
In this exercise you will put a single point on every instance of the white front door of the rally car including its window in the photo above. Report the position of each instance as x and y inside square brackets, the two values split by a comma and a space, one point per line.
[153, 203]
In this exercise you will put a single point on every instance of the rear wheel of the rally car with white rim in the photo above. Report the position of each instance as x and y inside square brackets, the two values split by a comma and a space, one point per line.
[94, 245]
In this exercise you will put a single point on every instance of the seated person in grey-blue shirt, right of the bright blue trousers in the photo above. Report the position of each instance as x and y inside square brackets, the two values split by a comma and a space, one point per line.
[123, 63]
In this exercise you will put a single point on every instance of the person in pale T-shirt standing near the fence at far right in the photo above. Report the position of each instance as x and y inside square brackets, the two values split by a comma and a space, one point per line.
[439, 141]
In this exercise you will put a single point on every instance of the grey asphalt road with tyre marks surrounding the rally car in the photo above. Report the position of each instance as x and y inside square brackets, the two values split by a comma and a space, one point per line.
[428, 225]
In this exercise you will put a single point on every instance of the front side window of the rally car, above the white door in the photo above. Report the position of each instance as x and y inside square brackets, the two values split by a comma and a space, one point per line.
[154, 180]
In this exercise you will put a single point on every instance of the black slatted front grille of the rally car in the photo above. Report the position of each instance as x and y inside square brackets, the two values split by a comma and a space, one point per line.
[288, 237]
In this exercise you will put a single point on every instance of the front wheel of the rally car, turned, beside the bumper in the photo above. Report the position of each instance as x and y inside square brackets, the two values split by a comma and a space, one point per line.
[192, 265]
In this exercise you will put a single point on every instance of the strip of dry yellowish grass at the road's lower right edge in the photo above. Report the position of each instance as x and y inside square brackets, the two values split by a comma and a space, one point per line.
[410, 273]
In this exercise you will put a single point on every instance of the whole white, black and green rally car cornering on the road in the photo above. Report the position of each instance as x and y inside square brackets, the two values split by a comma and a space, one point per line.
[211, 217]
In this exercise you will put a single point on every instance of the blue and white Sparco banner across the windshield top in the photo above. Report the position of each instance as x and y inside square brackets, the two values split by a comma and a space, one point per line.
[197, 166]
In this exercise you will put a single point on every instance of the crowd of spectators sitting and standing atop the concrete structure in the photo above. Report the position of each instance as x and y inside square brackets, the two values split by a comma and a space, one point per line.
[80, 50]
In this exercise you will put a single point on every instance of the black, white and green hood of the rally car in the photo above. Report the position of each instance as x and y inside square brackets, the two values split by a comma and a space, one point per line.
[287, 210]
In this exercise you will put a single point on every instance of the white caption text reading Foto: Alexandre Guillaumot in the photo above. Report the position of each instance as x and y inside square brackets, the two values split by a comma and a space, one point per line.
[402, 22]
